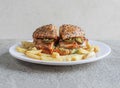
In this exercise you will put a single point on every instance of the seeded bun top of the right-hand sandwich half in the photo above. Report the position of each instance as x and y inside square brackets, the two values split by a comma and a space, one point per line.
[70, 31]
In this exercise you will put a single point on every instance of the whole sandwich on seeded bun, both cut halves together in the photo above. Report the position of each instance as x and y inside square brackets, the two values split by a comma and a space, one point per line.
[71, 37]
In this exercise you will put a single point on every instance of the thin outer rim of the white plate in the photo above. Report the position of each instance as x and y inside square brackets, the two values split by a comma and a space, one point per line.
[27, 59]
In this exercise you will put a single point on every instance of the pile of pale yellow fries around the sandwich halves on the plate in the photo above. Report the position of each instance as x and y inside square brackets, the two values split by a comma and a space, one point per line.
[29, 49]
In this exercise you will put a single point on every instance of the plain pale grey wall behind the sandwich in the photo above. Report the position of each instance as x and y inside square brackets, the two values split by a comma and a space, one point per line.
[99, 18]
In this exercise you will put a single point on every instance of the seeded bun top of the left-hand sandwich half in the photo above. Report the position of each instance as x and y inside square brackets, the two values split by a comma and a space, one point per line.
[46, 31]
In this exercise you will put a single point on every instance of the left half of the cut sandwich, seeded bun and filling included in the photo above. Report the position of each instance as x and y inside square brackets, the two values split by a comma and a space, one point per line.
[45, 37]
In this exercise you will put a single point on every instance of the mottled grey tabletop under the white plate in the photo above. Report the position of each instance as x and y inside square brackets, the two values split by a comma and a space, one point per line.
[18, 74]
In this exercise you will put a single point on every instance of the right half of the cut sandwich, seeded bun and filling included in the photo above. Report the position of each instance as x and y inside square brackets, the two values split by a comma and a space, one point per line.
[71, 38]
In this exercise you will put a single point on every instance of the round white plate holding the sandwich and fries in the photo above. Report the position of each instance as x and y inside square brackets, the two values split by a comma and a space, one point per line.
[104, 51]
